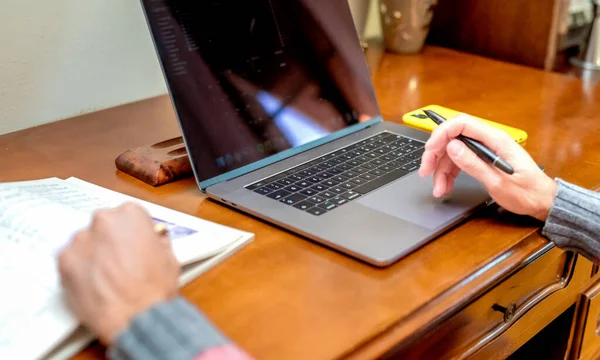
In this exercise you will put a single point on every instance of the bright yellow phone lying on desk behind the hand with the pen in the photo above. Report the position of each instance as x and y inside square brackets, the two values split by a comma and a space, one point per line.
[417, 119]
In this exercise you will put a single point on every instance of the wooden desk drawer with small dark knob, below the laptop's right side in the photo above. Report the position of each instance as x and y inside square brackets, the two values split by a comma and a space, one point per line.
[484, 322]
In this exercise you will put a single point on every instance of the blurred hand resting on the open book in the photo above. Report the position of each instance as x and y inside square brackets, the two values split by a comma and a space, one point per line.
[116, 269]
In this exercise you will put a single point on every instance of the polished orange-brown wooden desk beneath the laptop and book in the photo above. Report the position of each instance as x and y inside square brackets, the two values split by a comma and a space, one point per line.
[283, 297]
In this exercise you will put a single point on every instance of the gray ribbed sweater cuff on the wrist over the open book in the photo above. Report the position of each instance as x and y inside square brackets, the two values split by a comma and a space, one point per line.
[168, 331]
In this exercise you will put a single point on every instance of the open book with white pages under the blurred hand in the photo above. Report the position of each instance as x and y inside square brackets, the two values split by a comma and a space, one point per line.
[37, 219]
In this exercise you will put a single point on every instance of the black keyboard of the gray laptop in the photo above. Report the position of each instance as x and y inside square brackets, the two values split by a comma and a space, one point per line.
[335, 179]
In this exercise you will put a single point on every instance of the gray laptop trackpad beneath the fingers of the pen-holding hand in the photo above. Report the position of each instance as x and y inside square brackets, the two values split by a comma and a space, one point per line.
[412, 199]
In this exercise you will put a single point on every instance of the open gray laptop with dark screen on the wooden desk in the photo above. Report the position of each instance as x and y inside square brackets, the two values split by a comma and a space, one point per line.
[281, 121]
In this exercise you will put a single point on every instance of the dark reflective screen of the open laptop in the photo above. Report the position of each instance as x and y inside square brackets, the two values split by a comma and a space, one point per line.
[252, 78]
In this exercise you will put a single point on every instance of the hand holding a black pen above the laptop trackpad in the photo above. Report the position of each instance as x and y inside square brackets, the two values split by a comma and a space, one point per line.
[529, 191]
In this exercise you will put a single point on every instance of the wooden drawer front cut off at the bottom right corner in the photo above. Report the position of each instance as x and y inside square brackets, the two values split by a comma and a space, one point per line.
[586, 337]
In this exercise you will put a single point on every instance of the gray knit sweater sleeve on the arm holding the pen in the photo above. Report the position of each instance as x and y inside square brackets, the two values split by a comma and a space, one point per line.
[574, 221]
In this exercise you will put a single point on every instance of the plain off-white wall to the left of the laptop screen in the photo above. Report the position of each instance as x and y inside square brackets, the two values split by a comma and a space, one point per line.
[60, 58]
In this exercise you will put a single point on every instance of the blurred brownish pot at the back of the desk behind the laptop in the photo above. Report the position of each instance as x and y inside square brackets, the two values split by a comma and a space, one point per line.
[406, 24]
